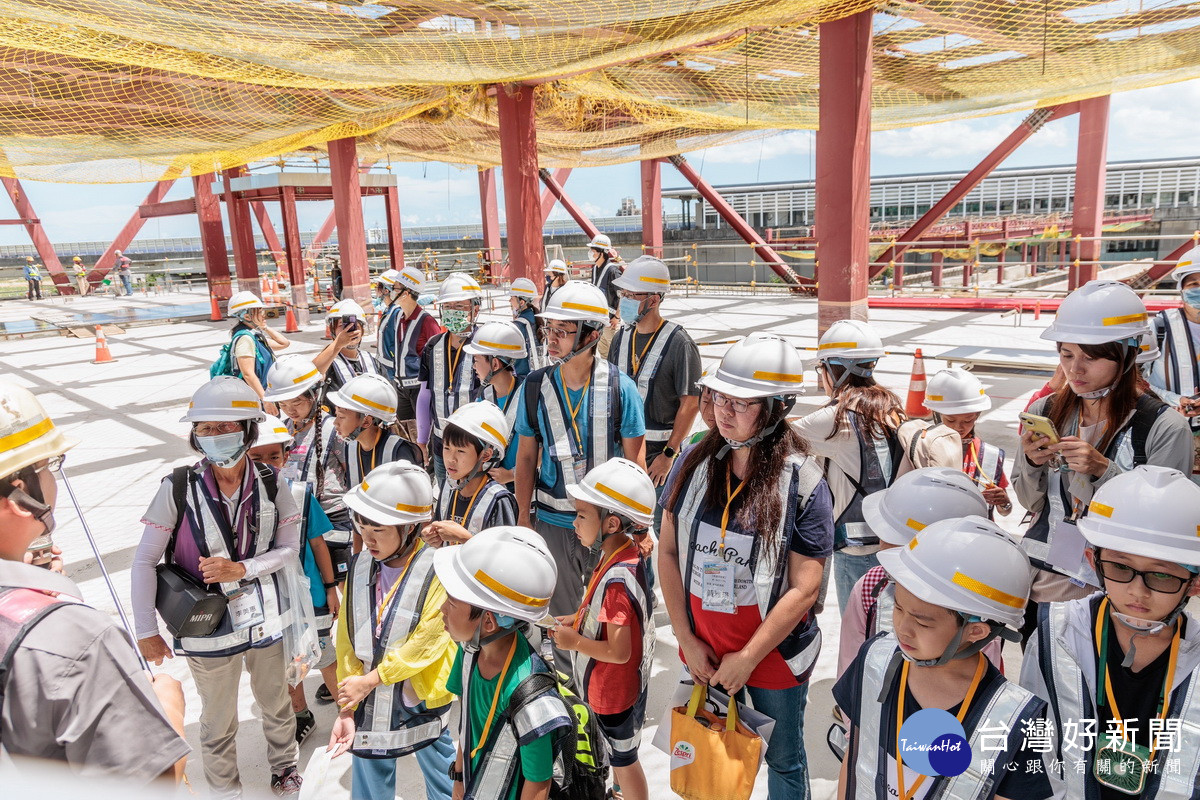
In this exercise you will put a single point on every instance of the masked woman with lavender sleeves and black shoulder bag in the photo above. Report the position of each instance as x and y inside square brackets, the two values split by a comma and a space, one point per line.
[230, 525]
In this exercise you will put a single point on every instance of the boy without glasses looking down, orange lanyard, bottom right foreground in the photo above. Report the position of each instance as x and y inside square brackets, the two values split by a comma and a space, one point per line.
[959, 585]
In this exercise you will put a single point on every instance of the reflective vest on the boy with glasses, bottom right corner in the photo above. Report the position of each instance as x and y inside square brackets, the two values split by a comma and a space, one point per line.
[1066, 660]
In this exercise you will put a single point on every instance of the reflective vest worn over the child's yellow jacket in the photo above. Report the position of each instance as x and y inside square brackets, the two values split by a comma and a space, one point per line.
[386, 726]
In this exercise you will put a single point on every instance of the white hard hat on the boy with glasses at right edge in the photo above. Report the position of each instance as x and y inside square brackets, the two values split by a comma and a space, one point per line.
[1149, 512]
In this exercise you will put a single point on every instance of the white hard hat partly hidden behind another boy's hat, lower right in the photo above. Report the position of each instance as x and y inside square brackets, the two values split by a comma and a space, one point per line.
[919, 500]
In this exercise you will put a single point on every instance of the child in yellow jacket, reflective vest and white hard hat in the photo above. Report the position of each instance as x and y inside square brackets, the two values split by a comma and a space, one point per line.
[394, 653]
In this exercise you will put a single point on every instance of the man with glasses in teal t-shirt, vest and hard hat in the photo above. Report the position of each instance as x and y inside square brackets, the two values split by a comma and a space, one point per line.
[580, 413]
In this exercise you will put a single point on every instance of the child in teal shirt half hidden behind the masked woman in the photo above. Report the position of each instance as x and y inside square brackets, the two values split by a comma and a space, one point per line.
[272, 448]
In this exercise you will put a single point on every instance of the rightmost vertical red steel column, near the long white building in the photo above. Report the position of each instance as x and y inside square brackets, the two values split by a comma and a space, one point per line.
[1091, 159]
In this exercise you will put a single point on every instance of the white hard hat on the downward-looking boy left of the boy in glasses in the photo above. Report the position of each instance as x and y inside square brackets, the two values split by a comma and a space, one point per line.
[968, 566]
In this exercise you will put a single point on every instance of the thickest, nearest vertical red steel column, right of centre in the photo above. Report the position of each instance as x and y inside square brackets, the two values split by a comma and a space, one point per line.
[844, 170]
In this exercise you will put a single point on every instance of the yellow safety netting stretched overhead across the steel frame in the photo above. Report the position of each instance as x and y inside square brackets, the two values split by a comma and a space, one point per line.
[128, 91]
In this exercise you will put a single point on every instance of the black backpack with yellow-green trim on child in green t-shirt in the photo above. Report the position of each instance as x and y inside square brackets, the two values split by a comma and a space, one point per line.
[585, 756]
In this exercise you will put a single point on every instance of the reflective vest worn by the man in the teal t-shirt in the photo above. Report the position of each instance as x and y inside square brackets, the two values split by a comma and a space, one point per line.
[543, 394]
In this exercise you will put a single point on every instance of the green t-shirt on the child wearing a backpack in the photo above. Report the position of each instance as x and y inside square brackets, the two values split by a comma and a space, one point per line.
[537, 757]
